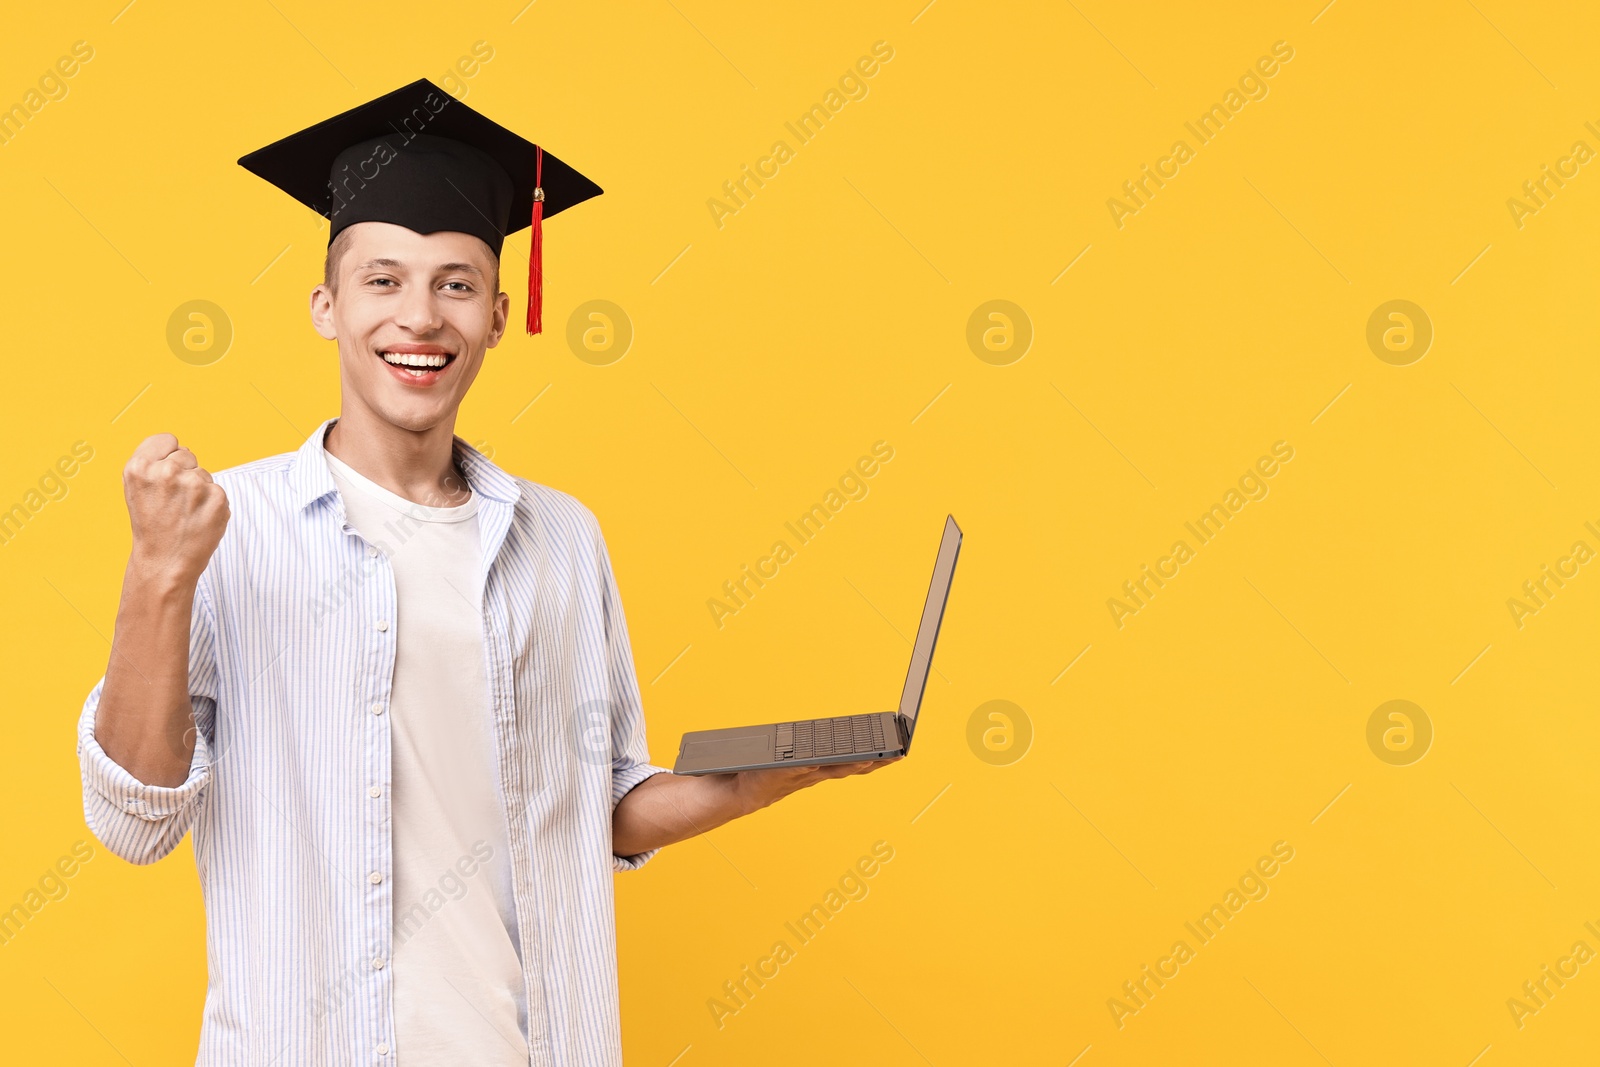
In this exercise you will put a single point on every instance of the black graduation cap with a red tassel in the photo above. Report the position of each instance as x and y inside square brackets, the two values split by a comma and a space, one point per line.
[422, 159]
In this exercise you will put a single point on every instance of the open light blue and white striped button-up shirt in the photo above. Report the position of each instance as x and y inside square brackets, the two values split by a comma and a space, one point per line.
[290, 666]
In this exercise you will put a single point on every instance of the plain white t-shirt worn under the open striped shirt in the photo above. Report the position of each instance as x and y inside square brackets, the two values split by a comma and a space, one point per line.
[457, 954]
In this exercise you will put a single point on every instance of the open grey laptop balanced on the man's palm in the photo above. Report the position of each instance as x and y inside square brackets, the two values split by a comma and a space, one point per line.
[841, 740]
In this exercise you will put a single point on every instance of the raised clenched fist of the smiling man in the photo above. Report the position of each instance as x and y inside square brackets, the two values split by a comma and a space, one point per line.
[178, 513]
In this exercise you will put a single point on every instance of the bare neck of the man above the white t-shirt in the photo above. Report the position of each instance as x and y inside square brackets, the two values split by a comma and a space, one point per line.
[415, 465]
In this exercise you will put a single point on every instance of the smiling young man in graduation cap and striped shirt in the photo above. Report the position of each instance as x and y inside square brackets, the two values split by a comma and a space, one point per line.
[386, 685]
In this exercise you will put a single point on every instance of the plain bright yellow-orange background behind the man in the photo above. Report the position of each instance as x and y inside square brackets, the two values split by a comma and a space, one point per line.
[833, 311]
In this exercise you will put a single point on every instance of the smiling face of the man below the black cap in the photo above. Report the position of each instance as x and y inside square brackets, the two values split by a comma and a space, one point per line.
[420, 302]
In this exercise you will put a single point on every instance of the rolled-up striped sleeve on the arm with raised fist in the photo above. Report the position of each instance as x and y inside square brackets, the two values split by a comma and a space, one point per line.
[145, 823]
